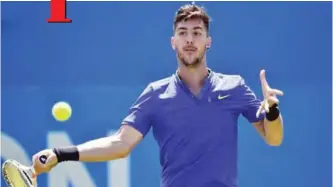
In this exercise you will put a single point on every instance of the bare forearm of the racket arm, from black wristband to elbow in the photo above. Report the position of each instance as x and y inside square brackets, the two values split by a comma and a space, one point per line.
[103, 149]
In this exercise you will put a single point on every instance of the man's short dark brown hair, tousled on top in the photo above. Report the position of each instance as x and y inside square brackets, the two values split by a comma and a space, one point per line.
[191, 11]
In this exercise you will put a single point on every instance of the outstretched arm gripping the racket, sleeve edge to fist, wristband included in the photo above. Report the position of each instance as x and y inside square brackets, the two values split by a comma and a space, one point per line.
[113, 147]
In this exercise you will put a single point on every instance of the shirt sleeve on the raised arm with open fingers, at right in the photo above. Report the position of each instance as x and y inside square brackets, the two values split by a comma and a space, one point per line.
[251, 103]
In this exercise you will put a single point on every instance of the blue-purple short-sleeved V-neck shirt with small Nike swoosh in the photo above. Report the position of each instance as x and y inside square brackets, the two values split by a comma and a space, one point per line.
[197, 135]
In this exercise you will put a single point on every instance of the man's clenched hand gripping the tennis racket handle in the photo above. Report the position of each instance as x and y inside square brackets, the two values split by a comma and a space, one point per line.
[50, 162]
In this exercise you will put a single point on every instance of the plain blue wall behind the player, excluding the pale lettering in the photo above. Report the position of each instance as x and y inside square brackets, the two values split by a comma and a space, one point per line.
[101, 62]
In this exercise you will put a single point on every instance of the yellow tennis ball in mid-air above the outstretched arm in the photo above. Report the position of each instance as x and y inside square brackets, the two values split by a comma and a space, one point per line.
[61, 111]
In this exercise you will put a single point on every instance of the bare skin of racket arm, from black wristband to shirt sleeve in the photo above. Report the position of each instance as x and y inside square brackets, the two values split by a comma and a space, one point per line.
[116, 146]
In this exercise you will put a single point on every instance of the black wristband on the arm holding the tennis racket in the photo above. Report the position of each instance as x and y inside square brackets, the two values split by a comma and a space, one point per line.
[70, 153]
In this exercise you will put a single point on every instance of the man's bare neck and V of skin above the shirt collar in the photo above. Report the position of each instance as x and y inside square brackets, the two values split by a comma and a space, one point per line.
[193, 77]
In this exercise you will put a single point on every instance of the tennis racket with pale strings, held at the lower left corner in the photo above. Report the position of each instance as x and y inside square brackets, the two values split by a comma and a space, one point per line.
[19, 175]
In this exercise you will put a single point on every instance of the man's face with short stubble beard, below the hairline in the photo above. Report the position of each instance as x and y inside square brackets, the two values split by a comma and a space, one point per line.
[190, 42]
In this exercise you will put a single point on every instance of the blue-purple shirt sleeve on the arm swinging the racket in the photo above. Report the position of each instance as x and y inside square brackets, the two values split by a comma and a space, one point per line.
[139, 116]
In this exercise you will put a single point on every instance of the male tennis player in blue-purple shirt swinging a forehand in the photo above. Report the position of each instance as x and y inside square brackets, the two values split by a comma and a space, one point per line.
[193, 115]
